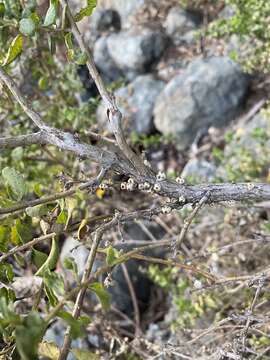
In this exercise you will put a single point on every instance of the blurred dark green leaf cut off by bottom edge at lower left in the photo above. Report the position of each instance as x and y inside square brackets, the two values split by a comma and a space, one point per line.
[28, 335]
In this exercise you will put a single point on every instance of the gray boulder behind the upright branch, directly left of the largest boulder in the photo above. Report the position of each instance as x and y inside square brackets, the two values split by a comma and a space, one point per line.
[136, 102]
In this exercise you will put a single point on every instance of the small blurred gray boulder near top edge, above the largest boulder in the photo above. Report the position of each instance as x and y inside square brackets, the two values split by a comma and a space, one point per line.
[180, 25]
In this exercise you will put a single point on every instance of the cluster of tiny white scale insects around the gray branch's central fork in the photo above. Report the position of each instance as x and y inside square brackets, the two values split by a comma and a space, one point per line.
[131, 185]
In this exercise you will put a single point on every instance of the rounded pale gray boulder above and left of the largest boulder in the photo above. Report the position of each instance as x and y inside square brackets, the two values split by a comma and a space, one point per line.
[137, 49]
